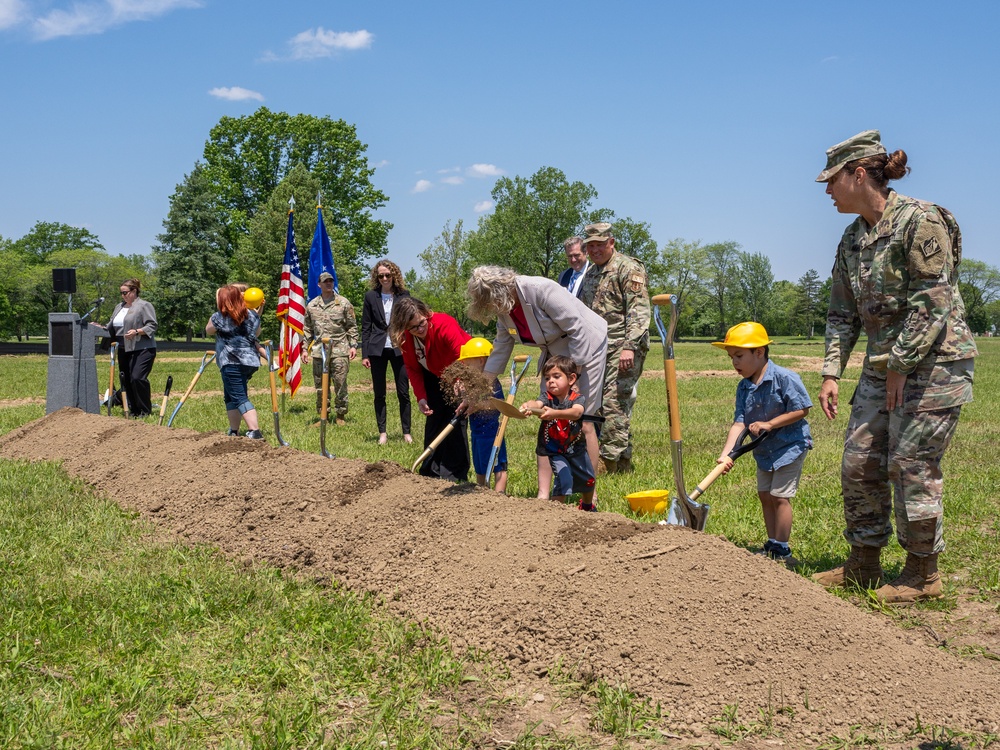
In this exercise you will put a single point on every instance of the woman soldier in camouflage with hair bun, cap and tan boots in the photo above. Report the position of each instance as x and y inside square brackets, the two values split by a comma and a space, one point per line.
[896, 278]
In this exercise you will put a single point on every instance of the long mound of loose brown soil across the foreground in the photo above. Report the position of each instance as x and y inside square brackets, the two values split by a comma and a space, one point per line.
[684, 618]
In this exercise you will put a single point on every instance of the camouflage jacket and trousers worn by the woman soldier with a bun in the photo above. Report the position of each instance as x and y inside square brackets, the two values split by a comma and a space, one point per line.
[899, 282]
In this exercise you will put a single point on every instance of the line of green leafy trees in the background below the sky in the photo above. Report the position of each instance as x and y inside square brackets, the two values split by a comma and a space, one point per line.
[227, 222]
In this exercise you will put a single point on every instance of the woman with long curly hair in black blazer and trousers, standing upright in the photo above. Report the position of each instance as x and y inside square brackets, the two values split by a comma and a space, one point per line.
[377, 351]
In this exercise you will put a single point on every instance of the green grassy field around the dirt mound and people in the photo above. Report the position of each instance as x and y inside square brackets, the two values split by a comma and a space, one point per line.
[112, 639]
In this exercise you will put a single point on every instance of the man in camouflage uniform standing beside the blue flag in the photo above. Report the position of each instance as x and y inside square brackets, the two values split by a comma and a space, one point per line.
[330, 314]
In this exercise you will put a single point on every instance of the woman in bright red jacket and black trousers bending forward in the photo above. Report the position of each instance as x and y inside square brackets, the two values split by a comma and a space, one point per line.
[430, 342]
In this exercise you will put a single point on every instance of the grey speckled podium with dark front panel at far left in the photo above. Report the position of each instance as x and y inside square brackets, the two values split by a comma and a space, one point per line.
[72, 377]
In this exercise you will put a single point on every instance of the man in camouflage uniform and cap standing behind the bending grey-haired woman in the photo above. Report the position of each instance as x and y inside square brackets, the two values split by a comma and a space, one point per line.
[615, 288]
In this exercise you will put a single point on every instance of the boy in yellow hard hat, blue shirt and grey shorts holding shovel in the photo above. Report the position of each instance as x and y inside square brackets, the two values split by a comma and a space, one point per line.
[773, 399]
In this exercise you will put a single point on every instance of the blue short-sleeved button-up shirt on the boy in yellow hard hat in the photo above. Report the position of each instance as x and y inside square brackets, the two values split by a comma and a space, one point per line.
[780, 390]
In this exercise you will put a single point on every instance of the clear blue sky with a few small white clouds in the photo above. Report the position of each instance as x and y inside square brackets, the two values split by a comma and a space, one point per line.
[708, 120]
